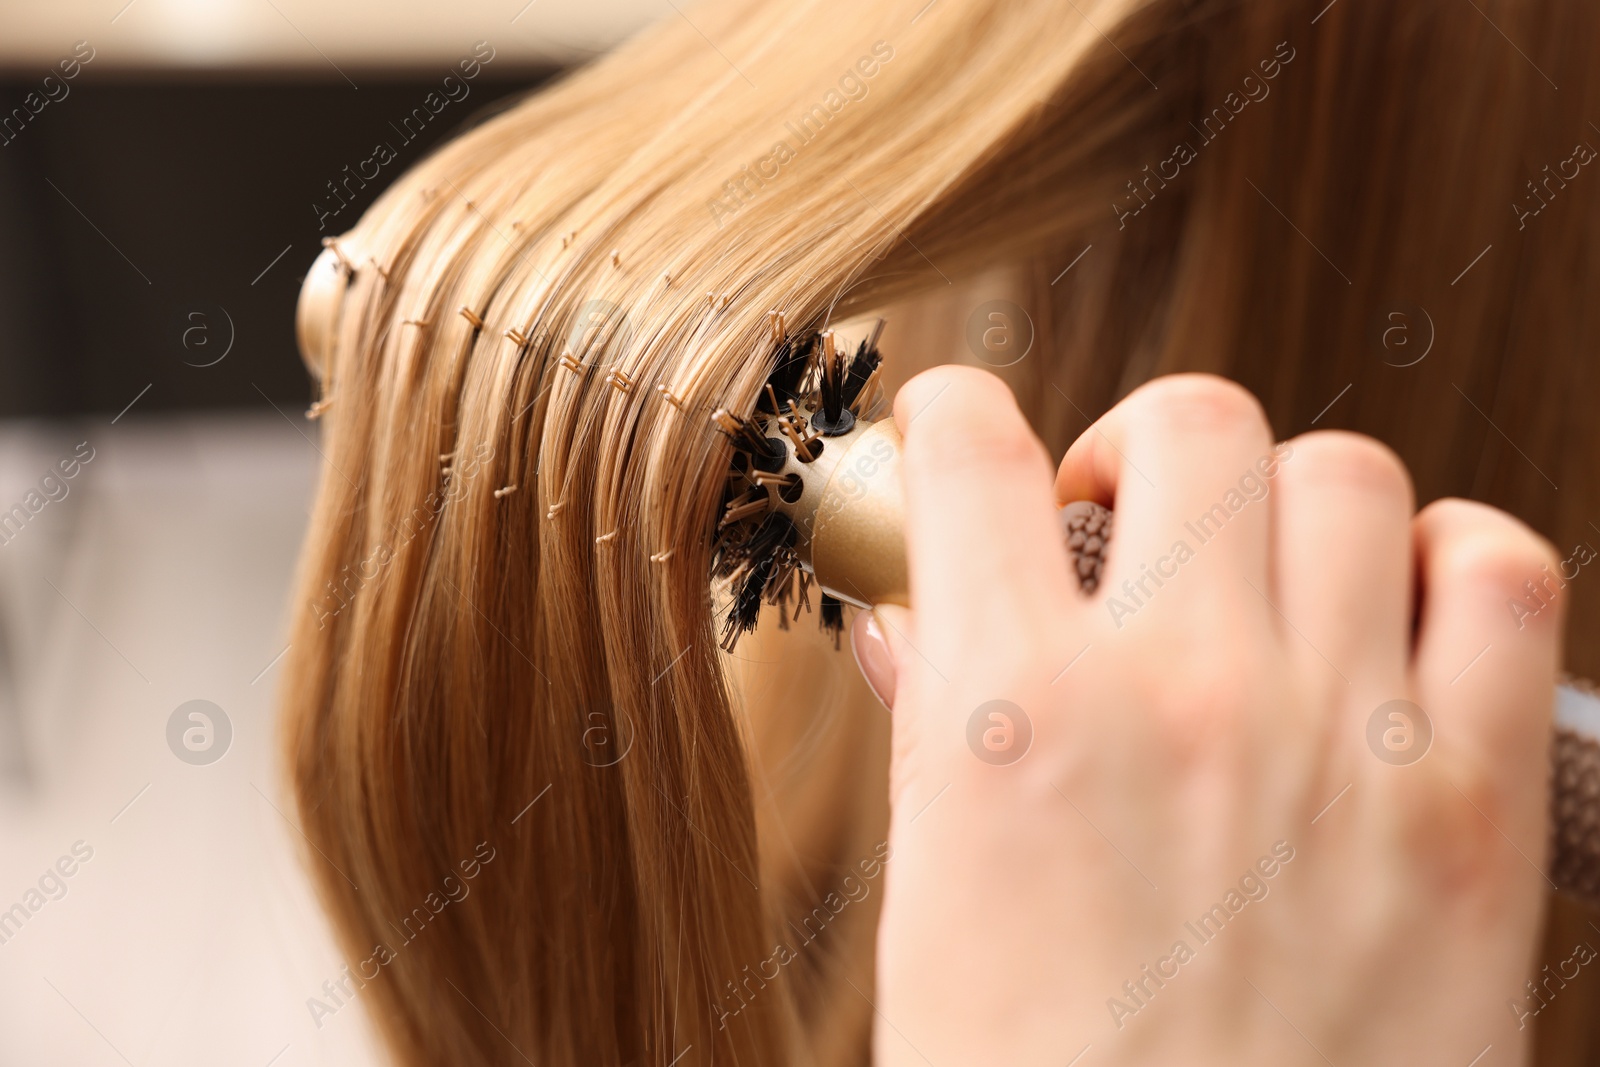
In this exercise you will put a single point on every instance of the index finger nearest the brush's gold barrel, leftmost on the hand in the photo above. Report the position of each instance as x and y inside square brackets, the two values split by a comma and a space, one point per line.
[983, 543]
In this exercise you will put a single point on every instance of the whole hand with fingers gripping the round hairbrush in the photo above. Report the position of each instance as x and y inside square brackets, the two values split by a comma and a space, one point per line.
[1207, 850]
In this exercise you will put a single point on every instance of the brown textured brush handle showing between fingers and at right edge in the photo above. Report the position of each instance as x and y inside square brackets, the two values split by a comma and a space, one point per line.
[1575, 743]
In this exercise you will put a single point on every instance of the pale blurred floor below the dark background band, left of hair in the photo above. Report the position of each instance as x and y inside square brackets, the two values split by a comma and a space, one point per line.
[161, 577]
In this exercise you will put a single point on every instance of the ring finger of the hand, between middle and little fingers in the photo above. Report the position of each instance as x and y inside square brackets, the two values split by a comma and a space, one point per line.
[1342, 578]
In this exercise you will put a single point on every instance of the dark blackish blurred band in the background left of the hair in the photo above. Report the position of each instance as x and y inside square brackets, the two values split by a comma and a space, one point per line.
[151, 223]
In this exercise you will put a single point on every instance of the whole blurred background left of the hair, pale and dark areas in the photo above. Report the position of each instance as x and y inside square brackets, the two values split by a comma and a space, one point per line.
[167, 174]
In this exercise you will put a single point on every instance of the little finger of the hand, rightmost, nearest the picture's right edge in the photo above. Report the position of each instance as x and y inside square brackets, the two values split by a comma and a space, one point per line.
[1489, 637]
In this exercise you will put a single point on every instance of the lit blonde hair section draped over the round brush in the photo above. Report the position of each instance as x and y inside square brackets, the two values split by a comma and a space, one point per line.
[511, 543]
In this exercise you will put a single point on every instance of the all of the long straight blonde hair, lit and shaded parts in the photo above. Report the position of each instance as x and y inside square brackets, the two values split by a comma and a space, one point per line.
[522, 343]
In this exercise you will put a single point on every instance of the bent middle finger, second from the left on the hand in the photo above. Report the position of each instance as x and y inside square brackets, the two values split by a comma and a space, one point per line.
[1178, 458]
